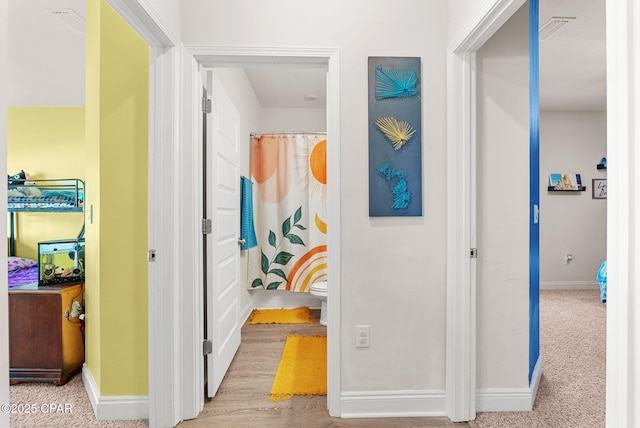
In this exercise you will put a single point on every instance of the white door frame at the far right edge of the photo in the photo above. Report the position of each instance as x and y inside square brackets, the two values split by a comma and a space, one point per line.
[623, 240]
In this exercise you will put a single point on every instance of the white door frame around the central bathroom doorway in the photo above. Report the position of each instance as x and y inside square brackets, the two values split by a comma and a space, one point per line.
[197, 56]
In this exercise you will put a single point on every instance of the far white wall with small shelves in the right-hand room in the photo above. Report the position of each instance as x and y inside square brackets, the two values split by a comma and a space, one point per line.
[572, 223]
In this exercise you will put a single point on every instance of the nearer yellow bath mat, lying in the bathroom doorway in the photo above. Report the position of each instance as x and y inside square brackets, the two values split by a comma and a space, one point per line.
[302, 369]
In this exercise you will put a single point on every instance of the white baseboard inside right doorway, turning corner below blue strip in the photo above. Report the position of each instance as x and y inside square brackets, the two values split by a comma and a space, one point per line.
[510, 399]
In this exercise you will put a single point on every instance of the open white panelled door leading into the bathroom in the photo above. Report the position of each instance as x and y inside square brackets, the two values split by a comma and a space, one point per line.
[222, 205]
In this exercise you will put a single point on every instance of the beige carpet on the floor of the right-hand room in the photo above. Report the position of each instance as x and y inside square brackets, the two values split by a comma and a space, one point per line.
[573, 349]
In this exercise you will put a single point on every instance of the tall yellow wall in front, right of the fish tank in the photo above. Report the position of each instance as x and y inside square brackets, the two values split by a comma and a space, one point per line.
[116, 239]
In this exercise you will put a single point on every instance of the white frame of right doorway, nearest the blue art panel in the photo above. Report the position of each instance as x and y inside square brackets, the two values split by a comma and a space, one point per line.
[460, 398]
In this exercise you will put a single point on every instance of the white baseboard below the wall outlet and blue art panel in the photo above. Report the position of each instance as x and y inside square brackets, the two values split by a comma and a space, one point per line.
[392, 404]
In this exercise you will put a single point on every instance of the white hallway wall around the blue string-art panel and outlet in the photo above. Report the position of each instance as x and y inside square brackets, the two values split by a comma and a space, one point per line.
[393, 269]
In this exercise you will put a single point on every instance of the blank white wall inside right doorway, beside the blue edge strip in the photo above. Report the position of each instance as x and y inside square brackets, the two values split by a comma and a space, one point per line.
[503, 207]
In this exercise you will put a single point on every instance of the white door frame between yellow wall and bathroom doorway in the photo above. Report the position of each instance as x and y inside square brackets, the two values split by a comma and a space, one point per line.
[163, 235]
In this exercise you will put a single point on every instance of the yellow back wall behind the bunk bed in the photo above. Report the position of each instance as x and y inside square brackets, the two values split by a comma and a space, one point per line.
[47, 143]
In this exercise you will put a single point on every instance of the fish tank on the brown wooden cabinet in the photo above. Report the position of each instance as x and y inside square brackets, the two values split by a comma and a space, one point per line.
[60, 262]
